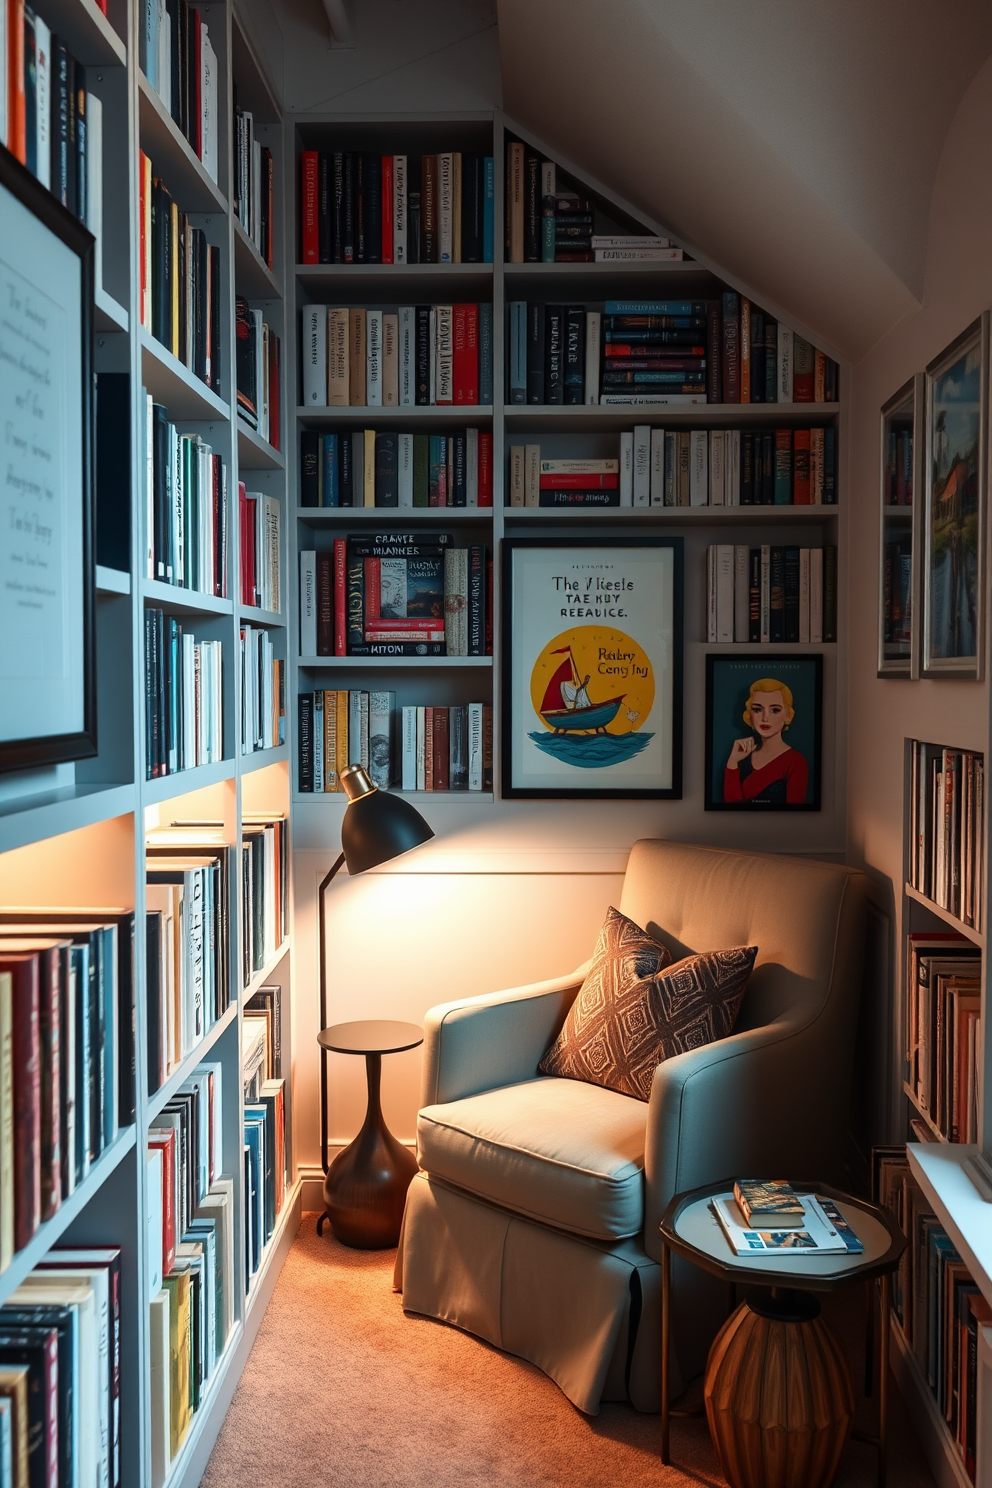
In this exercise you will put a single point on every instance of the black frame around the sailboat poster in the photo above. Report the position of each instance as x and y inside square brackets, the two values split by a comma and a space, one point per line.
[603, 553]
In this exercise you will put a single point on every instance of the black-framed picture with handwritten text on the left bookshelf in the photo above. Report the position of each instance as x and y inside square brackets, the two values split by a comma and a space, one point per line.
[47, 437]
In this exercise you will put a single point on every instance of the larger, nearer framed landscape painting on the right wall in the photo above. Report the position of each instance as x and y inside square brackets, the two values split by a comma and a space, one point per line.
[956, 501]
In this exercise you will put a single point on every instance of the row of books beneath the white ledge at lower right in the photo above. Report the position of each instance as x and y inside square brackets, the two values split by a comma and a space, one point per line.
[936, 1301]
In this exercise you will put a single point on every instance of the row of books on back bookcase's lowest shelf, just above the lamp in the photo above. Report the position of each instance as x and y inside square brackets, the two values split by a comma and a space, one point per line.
[413, 748]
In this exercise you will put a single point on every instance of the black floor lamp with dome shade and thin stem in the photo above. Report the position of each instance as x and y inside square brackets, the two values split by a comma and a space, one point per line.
[376, 830]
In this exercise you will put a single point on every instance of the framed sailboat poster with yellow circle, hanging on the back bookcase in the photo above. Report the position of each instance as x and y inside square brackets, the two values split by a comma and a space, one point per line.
[593, 669]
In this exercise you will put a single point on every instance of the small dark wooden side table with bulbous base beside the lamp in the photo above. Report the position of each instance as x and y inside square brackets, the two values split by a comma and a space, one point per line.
[365, 1188]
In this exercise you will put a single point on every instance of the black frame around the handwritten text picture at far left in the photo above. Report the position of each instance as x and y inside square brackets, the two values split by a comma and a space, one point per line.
[39, 749]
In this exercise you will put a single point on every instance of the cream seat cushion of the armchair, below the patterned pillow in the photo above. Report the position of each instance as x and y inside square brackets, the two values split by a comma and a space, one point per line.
[560, 1152]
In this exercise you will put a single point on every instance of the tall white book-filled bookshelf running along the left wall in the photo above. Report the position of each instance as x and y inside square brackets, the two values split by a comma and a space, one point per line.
[164, 862]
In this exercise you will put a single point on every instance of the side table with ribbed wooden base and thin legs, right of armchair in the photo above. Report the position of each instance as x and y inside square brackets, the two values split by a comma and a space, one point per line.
[779, 1391]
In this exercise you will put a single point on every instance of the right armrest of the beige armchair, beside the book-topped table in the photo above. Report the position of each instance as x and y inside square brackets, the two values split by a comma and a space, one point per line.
[725, 1111]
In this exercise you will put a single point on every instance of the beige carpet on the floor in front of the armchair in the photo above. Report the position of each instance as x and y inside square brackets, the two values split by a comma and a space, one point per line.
[343, 1391]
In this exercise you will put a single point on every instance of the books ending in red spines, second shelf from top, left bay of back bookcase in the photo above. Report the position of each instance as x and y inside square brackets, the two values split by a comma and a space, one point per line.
[407, 358]
